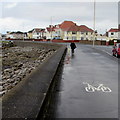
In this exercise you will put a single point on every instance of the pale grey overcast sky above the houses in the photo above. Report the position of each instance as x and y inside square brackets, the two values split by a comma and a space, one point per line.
[25, 16]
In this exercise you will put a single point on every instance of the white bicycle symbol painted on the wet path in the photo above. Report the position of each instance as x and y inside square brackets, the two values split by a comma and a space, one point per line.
[101, 87]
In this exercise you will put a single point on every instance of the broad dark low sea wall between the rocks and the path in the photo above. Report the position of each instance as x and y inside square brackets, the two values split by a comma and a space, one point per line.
[26, 99]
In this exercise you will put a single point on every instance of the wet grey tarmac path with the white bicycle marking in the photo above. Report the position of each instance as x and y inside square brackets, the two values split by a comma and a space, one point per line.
[88, 87]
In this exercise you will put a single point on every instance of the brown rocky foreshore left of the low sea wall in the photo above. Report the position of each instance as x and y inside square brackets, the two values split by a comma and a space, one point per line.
[18, 62]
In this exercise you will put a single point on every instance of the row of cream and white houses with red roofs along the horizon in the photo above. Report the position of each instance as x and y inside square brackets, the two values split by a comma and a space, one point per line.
[67, 30]
